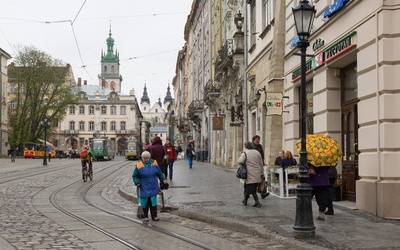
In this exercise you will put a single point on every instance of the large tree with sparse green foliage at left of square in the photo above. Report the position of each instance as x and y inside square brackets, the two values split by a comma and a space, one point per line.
[42, 86]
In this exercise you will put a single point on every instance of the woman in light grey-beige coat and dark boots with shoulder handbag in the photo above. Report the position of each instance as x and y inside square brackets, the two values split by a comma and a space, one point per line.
[254, 163]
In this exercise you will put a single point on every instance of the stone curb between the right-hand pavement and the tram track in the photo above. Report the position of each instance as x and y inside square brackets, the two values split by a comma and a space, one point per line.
[229, 223]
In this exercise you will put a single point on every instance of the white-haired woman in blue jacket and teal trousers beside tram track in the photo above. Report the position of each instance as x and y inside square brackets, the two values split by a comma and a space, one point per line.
[145, 176]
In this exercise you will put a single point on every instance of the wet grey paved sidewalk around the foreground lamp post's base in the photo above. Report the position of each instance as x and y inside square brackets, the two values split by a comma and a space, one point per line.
[213, 194]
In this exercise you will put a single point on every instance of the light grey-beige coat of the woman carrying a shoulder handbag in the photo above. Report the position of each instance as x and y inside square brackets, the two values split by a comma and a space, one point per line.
[254, 165]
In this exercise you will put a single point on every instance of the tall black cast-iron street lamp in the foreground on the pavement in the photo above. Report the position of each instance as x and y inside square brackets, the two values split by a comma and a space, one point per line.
[304, 224]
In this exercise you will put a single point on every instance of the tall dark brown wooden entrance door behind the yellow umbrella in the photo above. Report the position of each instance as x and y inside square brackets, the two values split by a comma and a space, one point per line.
[350, 151]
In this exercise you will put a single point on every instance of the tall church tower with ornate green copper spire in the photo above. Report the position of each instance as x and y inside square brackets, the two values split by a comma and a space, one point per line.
[110, 77]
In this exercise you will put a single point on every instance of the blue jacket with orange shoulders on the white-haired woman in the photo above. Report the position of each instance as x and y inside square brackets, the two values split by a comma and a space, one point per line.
[146, 174]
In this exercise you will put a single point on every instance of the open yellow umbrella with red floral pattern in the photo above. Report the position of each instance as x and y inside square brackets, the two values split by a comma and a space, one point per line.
[322, 150]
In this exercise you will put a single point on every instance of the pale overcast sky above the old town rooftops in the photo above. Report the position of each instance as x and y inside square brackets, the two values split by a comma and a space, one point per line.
[148, 35]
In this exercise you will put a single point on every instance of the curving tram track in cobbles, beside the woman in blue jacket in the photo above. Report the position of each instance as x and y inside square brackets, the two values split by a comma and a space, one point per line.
[56, 197]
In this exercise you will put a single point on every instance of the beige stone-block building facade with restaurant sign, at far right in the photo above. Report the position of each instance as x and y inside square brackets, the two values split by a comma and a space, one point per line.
[352, 92]
